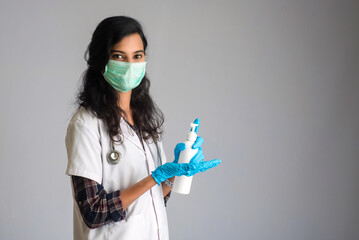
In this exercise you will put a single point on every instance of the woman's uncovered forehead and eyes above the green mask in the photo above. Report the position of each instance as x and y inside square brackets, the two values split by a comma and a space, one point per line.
[129, 49]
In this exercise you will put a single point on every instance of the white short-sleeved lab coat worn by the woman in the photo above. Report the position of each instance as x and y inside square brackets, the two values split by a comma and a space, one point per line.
[87, 143]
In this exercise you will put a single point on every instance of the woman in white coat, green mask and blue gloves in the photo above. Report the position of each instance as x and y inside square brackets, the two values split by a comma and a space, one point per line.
[120, 178]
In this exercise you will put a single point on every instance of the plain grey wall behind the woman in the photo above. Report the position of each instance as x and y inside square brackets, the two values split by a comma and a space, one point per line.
[274, 83]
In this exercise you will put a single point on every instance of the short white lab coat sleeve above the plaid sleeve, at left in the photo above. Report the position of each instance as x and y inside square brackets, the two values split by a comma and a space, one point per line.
[84, 150]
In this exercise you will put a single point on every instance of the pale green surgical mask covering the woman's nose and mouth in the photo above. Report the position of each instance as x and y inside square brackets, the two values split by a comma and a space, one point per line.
[124, 76]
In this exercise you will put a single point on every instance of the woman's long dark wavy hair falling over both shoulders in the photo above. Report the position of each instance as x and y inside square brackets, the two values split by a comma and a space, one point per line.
[100, 98]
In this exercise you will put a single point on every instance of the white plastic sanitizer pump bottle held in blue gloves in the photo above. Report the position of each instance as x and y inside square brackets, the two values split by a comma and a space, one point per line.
[182, 184]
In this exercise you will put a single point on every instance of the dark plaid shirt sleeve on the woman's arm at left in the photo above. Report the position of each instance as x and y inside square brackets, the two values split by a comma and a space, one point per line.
[97, 207]
